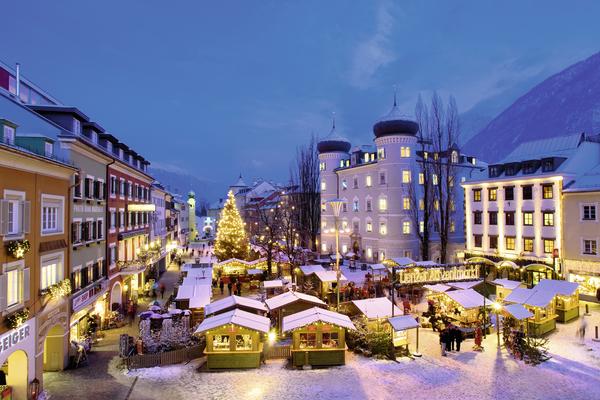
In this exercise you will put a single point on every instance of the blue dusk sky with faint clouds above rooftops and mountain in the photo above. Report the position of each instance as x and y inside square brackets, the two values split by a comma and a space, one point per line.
[219, 88]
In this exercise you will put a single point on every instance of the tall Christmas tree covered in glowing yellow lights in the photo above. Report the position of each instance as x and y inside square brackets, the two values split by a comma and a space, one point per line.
[231, 235]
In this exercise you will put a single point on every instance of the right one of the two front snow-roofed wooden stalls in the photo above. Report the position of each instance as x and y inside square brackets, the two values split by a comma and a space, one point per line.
[318, 337]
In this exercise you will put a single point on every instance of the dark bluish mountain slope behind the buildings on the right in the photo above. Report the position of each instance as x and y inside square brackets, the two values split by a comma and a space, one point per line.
[566, 103]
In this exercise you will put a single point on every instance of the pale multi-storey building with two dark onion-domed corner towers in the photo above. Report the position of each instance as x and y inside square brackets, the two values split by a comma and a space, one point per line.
[375, 182]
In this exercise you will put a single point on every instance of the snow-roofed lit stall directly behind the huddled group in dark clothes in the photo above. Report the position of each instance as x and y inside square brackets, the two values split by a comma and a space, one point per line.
[463, 306]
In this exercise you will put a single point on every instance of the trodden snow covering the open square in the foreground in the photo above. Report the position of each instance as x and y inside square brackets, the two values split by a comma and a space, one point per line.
[573, 373]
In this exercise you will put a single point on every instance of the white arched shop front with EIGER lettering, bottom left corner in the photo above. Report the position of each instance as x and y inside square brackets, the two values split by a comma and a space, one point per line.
[17, 360]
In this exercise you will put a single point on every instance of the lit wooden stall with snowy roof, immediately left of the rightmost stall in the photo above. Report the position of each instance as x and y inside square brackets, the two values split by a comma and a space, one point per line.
[541, 304]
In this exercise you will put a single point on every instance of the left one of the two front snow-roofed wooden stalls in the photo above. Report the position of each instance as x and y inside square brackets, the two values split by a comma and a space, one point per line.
[234, 339]
